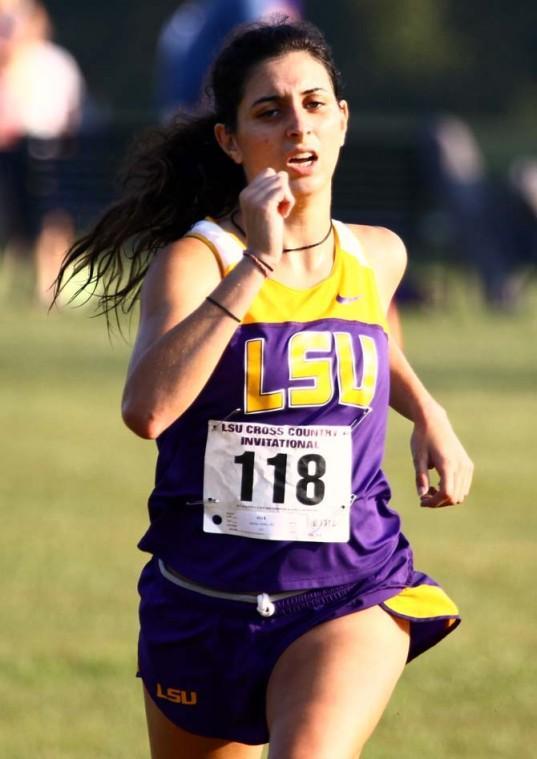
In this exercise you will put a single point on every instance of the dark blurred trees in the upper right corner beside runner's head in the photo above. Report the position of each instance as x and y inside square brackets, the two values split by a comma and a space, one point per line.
[470, 57]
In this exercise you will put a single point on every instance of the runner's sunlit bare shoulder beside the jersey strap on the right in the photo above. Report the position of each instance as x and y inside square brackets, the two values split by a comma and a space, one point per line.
[386, 254]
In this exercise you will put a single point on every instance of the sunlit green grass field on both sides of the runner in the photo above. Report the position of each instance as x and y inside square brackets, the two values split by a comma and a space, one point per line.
[73, 490]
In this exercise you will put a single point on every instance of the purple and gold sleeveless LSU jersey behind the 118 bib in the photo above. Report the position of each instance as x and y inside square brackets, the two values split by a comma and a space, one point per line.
[315, 358]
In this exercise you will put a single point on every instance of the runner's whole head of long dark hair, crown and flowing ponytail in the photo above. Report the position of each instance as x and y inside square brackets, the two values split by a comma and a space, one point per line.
[178, 174]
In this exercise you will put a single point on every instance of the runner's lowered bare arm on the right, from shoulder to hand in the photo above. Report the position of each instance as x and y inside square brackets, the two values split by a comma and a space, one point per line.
[434, 444]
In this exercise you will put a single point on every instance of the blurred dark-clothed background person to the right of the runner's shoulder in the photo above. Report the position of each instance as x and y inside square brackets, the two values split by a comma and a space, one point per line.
[486, 224]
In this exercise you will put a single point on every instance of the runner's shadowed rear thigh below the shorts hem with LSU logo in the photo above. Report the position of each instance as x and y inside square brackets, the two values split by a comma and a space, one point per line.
[167, 741]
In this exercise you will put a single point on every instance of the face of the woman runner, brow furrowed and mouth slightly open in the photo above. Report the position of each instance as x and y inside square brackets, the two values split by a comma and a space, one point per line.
[289, 120]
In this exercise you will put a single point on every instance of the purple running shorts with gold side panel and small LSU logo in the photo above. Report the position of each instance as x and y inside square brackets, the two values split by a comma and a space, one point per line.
[206, 661]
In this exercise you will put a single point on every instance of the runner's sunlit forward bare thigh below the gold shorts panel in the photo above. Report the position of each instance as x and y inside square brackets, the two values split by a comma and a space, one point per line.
[329, 688]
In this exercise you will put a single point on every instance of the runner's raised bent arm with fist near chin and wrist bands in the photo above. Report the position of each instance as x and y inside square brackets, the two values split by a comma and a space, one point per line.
[181, 335]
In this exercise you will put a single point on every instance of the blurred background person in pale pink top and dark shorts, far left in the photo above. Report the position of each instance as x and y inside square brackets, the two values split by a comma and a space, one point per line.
[41, 96]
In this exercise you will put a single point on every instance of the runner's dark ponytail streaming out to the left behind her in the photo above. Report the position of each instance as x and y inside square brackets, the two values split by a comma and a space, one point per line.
[173, 176]
